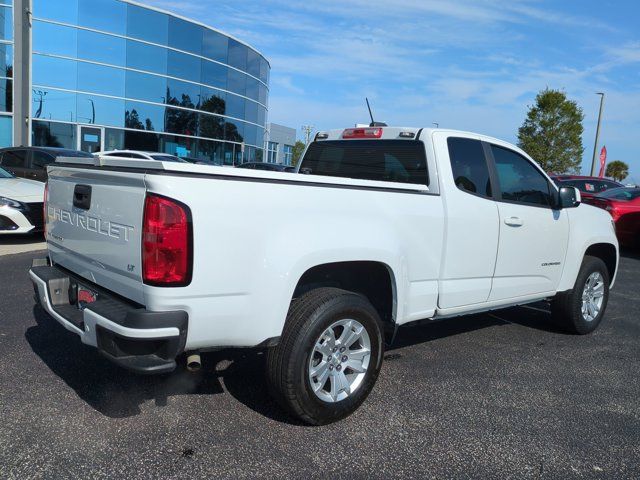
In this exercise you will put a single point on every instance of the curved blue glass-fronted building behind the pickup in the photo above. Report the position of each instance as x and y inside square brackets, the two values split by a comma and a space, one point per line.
[113, 74]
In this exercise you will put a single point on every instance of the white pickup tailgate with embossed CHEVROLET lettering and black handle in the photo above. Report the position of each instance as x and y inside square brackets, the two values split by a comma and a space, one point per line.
[94, 220]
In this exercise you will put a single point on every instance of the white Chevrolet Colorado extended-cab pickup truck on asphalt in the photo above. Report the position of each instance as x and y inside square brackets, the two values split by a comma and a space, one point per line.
[149, 261]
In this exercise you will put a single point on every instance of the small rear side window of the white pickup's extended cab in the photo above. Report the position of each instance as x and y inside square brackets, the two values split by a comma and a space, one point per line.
[470, 170]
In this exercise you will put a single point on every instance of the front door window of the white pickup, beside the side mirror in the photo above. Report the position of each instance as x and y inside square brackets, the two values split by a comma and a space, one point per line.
[519, 180]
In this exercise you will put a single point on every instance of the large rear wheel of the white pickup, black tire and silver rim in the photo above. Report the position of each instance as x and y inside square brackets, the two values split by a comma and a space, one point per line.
[289, 364]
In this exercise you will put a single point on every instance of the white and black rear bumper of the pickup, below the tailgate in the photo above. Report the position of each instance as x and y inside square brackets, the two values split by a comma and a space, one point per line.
[125, 333]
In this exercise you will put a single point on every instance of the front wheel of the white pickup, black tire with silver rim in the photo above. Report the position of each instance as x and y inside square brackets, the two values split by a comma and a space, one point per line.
[567, 307]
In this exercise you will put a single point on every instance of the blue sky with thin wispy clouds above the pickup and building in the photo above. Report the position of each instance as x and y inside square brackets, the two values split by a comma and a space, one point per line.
[466, 64]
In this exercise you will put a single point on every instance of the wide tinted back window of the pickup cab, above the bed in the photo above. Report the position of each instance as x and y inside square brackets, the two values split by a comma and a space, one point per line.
[384, 160]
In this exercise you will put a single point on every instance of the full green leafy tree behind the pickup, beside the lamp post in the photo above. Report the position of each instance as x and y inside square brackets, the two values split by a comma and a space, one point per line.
[552, 132]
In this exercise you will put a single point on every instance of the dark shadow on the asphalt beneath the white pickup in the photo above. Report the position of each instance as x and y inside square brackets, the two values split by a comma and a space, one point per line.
[117, 393]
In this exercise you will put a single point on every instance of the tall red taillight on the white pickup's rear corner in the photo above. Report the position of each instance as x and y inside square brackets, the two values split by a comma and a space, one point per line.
[166, 242]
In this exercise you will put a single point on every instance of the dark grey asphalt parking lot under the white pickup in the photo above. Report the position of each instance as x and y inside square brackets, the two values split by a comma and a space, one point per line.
[502, 395]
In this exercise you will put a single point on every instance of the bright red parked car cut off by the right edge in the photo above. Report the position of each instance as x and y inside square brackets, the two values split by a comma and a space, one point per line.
[624, 206]
